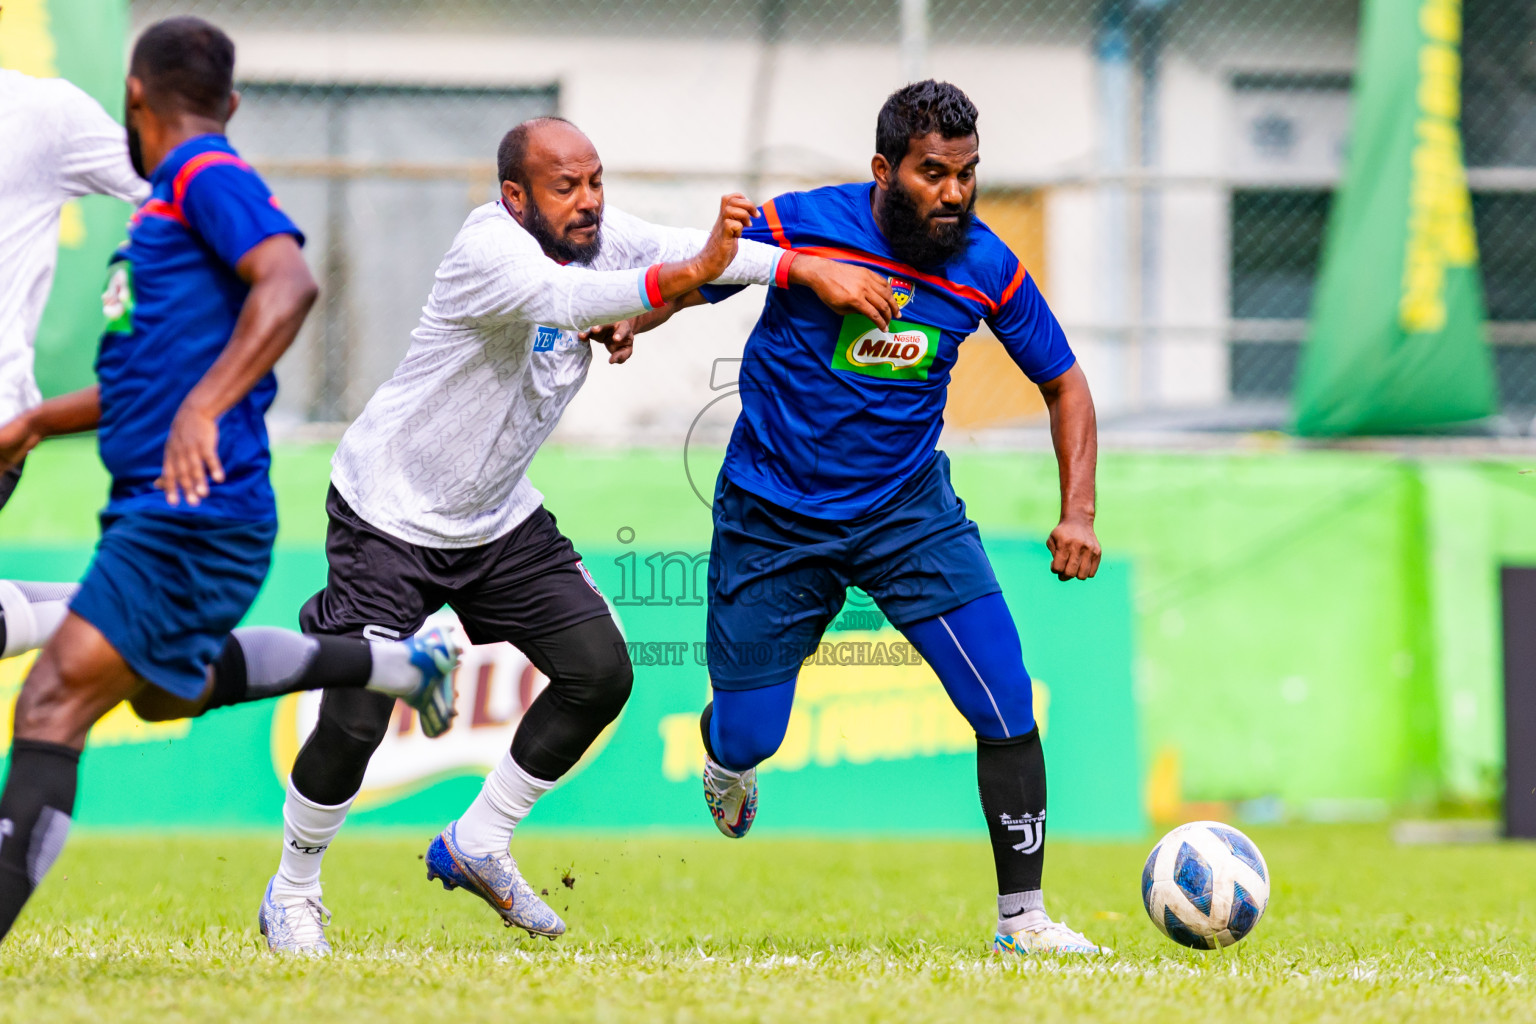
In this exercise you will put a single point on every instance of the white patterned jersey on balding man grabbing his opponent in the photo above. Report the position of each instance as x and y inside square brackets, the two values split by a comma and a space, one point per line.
[439, 457]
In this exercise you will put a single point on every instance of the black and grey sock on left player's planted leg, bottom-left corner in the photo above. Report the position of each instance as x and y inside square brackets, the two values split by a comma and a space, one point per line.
[35, 819]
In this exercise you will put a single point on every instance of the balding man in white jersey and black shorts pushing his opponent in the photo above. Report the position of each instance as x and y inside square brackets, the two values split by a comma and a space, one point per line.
[431, 504]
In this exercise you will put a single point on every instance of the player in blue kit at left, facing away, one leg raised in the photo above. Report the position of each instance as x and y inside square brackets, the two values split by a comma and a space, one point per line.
[208, 292]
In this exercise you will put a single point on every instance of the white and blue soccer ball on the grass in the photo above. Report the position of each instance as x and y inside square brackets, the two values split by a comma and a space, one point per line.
[1205, 885]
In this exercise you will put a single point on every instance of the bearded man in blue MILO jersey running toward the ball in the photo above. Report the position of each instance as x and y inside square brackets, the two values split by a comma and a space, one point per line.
[833, 481]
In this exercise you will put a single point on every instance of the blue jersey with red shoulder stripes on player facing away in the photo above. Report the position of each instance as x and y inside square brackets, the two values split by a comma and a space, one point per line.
[171, 303]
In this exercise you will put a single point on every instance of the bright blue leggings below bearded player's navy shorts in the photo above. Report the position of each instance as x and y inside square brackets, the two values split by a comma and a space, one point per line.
[975, 650]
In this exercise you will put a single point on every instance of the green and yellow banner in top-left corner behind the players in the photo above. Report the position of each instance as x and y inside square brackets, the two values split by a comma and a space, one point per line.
[81, 41]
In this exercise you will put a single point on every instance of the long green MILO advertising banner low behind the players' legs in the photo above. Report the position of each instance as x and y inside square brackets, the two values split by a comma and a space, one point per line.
[875, 744]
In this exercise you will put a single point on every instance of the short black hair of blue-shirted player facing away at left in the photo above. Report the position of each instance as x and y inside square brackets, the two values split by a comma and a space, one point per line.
[187, 64]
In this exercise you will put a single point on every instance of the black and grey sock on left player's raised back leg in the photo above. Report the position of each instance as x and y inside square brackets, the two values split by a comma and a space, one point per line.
[262, 662]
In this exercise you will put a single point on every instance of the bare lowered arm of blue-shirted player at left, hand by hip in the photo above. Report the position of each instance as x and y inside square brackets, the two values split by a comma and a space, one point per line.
[282, 294]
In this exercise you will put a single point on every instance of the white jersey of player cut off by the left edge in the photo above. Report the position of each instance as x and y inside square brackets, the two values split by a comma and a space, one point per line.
[56, 145]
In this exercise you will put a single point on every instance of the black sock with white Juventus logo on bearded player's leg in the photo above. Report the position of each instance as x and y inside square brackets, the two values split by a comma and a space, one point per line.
[1011, 776]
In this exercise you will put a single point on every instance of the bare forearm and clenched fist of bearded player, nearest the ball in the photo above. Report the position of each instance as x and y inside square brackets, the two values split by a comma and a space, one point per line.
[1074, 432]
